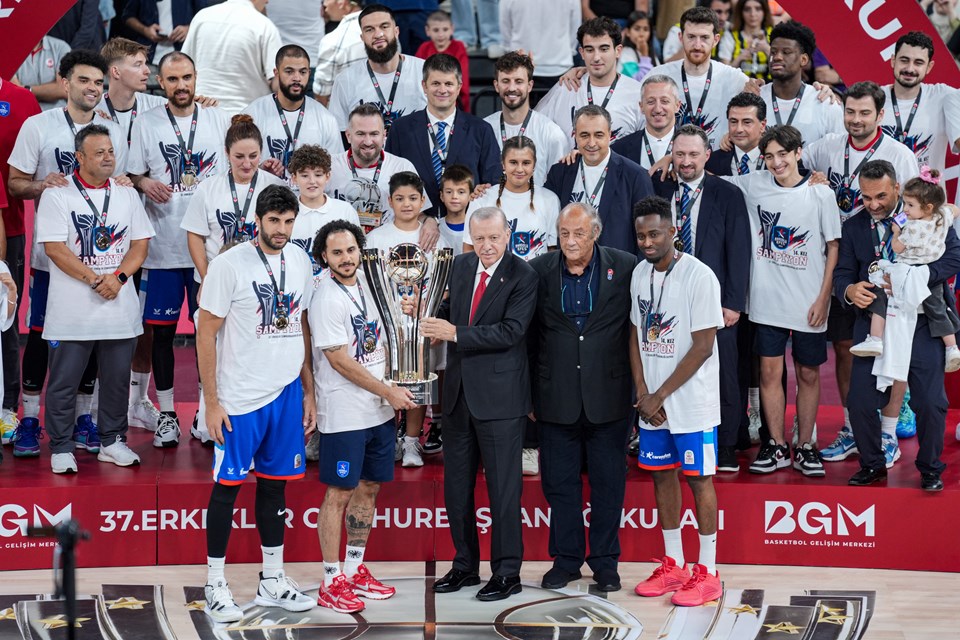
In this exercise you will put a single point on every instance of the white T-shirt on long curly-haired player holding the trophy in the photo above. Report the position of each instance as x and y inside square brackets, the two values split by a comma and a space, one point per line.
[336, 320]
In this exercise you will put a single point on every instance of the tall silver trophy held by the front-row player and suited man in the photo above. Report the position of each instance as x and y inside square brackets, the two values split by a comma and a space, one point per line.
[404, 270]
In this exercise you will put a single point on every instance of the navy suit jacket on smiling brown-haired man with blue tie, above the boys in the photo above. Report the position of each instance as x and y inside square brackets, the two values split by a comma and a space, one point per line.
[473, 144]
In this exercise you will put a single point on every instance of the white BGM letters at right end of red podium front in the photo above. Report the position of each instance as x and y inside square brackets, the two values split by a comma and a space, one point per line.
[817, 518]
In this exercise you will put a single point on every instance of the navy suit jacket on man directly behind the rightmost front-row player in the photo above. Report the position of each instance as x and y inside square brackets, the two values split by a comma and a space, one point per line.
[723, 236]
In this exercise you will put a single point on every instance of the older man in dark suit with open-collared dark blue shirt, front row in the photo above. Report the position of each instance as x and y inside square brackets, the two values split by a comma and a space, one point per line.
[582, 392]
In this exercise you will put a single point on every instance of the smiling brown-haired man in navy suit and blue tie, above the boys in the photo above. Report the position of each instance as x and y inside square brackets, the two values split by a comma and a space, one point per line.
[442, 134]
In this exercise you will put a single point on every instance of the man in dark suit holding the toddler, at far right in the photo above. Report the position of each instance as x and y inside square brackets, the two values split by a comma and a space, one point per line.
[858, 250]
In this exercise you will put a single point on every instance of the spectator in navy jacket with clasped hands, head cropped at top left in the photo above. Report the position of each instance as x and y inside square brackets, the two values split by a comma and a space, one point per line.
[162, 25]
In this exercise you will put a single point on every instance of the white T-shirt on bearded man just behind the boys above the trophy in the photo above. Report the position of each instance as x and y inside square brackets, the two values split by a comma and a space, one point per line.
[369, 198]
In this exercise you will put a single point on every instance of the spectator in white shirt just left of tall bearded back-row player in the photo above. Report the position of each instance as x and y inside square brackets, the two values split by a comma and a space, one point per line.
[338, 48]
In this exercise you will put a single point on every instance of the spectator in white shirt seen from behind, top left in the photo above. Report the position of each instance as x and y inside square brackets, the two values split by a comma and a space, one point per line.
[235, 47]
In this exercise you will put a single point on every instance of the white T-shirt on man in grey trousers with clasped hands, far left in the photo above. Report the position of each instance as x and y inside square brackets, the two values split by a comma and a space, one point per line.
[75, 311]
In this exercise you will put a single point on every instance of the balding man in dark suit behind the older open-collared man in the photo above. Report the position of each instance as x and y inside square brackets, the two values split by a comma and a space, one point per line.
[608, 182]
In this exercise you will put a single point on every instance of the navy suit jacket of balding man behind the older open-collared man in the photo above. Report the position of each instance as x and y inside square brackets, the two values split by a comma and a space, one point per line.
[626, 183]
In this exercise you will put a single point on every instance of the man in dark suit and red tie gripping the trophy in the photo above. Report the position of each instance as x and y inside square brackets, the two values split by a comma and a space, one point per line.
[486, 399]
